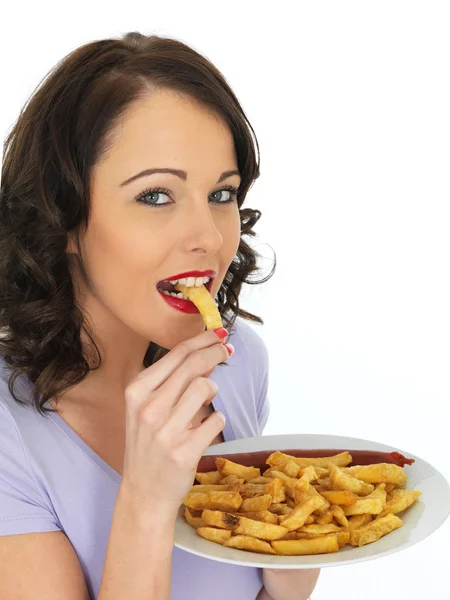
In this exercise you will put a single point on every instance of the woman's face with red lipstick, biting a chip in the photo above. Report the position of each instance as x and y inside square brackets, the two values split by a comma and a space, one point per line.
[130, 246]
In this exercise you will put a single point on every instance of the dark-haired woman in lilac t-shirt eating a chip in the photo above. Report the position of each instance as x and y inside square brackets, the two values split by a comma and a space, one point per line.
[108, 391]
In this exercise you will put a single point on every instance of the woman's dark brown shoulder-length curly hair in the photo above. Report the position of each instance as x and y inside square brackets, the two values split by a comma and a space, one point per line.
[61, 133]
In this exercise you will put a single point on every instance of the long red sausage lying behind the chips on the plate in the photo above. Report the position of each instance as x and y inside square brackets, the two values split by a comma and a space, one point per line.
[258, 459]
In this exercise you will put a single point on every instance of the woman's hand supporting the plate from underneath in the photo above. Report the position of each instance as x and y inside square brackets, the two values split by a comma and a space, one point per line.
[290, 584]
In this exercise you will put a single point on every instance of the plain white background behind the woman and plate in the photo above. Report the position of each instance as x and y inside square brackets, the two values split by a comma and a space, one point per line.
[350, 104]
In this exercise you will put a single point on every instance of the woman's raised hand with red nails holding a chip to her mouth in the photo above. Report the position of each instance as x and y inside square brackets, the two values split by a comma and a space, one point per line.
[162, 448]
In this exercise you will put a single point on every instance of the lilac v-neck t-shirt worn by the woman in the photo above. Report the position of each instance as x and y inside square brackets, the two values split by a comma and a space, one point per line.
[51, 480]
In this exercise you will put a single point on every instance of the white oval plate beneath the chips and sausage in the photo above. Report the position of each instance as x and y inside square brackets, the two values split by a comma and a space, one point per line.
[420, 520]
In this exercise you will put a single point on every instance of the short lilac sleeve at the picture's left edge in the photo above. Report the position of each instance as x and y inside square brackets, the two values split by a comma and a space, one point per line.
[23, 507]
